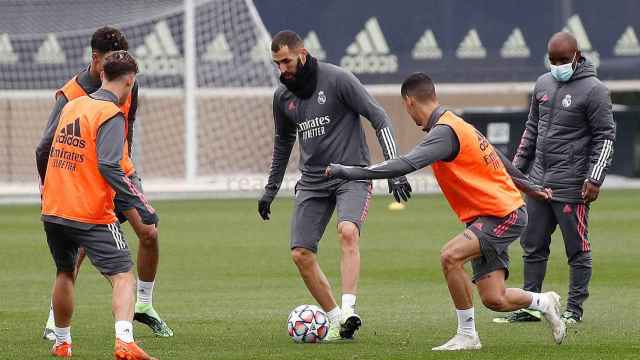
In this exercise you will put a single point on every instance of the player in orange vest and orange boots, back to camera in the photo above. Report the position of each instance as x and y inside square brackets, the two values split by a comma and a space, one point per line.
[82, 176]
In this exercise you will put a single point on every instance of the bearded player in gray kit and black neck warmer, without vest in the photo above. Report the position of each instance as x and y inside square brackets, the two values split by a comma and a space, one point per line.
[321, 104]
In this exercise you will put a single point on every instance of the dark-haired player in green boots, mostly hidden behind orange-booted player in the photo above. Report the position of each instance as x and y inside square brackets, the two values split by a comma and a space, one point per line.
[104, 41]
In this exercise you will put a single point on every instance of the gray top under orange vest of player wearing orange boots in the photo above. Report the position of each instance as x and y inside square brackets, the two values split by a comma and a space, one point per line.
[109, 145]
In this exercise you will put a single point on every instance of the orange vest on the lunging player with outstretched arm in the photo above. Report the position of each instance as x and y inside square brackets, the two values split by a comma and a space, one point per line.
[475, 183]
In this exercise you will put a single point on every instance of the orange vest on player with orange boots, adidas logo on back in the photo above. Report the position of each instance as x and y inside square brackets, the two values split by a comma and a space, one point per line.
[73, 187]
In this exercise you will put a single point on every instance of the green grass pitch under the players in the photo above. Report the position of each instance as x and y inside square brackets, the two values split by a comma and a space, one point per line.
[226, 285]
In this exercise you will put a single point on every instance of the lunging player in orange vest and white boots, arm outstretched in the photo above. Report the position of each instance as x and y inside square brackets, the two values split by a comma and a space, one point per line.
[473, 178]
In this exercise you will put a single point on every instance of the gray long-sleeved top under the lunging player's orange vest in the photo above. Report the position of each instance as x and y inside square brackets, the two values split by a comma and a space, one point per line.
[440, 144]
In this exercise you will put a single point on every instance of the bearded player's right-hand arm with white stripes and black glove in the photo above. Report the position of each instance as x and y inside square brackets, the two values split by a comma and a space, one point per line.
[352, 93]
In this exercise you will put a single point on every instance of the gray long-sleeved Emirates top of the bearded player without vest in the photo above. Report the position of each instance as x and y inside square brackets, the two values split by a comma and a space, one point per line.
[328, 129]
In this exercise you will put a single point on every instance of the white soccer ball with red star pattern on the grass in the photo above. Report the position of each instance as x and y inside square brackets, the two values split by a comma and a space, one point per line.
[308, 324]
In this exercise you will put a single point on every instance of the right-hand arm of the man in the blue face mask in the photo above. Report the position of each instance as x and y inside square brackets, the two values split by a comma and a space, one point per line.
[603, 135]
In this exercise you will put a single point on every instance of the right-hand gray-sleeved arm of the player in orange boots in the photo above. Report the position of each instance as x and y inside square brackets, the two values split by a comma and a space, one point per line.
[109, 144]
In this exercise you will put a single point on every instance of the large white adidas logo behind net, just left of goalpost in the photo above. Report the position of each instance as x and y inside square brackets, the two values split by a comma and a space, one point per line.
[159, 54]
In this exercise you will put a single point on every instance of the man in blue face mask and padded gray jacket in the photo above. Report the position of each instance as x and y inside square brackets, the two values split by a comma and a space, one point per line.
[567, 146]
